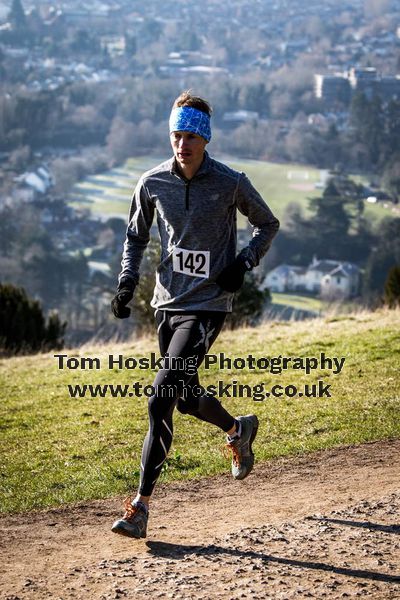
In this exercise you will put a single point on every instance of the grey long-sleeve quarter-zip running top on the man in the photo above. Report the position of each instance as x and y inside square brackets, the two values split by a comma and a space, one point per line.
[197, 225]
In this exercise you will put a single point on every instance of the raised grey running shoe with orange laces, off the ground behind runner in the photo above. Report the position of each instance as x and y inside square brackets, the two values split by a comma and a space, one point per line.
[242, 452]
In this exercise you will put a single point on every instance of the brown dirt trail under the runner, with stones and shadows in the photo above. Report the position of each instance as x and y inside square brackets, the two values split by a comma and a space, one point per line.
[326, 525]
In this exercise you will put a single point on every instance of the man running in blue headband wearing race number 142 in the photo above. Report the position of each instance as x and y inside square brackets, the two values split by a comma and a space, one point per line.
[195, 199]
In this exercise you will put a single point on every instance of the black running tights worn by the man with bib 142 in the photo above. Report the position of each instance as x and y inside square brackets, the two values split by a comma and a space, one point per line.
[184, 340]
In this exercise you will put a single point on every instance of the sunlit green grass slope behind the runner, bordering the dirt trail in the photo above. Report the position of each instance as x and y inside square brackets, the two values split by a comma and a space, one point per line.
[57, 450]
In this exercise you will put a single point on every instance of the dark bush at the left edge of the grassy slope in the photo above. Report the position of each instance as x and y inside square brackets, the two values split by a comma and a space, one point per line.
[22, 323]
